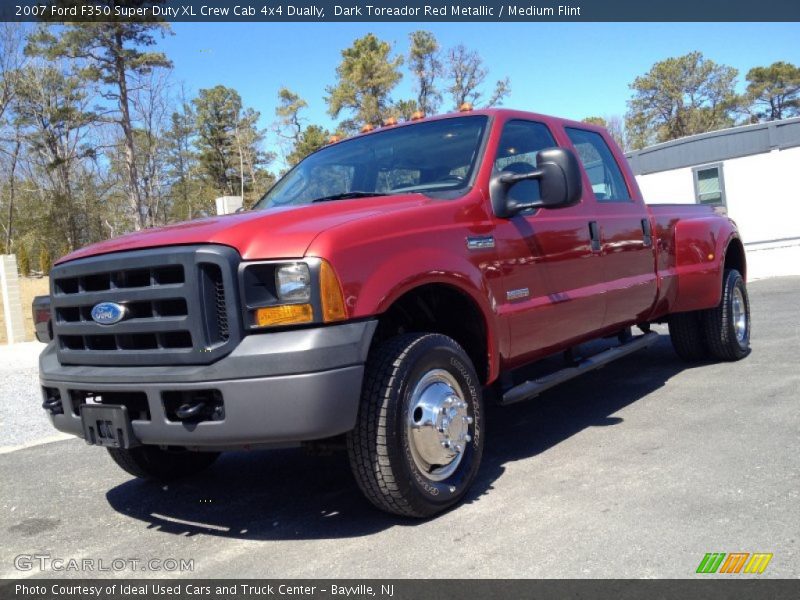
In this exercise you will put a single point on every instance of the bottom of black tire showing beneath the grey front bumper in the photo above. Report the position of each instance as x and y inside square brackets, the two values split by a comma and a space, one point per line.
[151, 462]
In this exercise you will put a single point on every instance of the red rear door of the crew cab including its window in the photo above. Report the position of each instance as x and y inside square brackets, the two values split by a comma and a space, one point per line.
[621, 227]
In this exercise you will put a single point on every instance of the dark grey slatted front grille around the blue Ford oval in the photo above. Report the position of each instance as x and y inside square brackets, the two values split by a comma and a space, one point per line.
[180, 306]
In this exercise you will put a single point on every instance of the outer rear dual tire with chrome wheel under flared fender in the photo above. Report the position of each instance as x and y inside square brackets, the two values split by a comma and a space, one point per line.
[727, 327]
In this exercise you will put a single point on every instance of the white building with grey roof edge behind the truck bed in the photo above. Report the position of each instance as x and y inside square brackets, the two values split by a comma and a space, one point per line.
[753, 171]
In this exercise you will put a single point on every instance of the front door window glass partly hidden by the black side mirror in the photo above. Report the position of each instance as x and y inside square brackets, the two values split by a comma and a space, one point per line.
[516, 152]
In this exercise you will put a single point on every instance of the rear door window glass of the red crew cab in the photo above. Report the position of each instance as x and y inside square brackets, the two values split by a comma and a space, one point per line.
[607, 181]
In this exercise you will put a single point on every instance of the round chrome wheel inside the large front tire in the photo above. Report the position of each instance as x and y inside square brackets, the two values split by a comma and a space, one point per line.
[438, 424]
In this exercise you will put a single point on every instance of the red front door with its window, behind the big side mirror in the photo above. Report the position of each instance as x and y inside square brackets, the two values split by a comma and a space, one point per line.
[551, 275]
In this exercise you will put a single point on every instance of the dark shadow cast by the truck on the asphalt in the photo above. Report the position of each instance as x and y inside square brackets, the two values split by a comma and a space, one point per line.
[287, 494]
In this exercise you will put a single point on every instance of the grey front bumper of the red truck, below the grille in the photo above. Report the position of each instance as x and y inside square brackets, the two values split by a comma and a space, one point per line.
[277, 387]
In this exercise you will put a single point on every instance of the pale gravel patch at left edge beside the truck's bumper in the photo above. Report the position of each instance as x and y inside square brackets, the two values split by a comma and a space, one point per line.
[22, 422]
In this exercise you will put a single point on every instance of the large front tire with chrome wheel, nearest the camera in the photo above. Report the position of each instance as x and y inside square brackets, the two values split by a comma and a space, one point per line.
[418, 441]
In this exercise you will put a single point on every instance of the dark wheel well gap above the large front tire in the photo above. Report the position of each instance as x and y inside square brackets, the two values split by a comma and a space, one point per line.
[439, 308]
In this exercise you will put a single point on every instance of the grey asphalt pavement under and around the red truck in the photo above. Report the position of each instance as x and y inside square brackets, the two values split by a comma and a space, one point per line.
[636, 470]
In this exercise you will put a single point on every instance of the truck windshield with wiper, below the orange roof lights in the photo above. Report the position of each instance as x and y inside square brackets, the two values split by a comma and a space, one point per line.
[433, 156]
